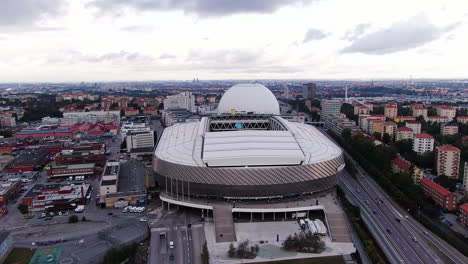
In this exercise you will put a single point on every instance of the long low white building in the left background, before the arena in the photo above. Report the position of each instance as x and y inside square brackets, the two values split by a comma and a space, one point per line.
[71, 118]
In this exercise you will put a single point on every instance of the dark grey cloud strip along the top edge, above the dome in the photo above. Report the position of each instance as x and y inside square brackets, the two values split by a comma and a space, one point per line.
[199, 7]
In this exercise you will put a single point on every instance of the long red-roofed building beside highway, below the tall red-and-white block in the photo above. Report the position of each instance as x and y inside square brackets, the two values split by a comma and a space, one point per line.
[441, 196]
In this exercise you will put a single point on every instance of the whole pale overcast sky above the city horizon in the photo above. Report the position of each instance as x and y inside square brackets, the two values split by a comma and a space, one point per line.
[111, 40]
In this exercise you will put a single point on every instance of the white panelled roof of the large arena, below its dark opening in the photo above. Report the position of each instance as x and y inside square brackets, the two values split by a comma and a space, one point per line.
[189, 144]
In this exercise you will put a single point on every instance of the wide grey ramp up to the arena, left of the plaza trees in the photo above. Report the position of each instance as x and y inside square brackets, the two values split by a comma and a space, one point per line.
[224, 223]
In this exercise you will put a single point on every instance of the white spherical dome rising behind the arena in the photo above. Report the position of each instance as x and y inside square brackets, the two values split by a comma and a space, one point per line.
[248, 97]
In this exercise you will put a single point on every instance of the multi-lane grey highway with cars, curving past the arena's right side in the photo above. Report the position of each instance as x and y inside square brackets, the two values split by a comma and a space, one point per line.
[406, 240]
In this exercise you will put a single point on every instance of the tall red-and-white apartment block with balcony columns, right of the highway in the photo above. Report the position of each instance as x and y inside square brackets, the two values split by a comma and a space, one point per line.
[448, 161]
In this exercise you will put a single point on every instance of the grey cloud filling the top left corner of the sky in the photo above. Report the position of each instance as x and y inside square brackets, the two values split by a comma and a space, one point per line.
[28, 12]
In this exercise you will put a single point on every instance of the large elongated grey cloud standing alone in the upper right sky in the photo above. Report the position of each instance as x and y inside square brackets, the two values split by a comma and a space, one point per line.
[400, 36]
